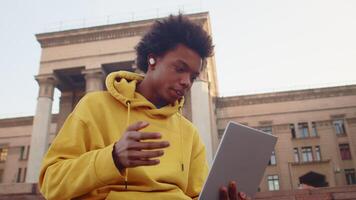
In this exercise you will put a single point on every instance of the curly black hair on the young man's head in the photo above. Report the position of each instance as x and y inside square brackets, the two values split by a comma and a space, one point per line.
[166, 34]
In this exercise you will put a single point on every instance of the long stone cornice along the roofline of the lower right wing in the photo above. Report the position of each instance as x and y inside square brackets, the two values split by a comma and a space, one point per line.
[276, 97]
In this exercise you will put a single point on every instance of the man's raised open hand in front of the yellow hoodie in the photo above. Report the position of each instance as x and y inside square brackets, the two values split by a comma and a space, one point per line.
[131, 151]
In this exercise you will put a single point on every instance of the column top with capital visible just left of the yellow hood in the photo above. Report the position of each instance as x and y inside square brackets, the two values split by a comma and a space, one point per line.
[94, 80]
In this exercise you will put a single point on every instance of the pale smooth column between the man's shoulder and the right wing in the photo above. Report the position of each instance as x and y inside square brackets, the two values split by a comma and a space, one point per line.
[201, 114]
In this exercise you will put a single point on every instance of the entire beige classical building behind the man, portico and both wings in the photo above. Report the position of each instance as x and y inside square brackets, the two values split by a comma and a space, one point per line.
[316, 128]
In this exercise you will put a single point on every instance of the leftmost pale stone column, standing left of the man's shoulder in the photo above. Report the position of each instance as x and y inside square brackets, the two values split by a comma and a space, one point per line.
[41, 126]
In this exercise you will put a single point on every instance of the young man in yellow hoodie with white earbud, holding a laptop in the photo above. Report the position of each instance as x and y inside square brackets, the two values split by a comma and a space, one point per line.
[131, 141]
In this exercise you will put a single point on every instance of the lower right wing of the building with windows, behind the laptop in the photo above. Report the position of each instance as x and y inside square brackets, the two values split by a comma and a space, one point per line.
[316, 132]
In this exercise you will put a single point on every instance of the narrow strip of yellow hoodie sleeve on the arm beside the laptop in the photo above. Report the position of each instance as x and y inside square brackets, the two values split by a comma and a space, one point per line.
[198, 169]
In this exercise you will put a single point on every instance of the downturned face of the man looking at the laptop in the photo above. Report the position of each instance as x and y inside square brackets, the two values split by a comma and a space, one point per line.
[174, 73]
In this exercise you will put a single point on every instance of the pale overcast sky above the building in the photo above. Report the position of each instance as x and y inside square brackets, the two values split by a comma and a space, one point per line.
[261, 45]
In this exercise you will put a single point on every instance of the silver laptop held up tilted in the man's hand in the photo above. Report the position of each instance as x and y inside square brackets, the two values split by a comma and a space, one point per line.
[242, 156]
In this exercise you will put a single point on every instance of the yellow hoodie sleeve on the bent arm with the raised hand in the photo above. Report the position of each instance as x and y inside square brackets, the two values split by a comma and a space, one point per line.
[70, 168]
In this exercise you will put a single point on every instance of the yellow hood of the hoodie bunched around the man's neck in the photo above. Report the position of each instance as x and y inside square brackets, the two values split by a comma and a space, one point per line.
[122, 86]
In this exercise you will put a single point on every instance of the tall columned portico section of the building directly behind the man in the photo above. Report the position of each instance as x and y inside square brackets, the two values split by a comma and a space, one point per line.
[77, 62]
